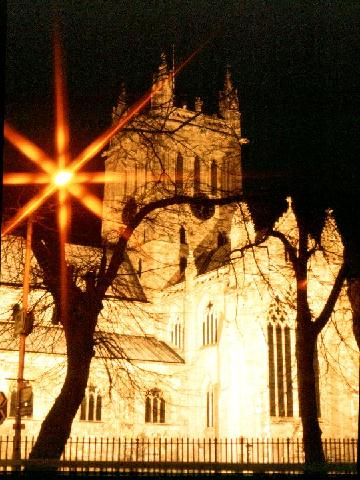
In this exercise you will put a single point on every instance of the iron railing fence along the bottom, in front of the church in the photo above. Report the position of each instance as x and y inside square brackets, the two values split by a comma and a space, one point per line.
[113, 452]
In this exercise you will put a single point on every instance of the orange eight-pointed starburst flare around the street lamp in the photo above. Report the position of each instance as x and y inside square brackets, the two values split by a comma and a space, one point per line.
[61, 174]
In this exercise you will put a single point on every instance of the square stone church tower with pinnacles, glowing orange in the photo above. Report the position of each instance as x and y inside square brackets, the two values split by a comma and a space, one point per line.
[168, 151]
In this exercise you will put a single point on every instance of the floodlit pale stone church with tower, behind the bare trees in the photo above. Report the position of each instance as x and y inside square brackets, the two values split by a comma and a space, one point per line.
[197, 335]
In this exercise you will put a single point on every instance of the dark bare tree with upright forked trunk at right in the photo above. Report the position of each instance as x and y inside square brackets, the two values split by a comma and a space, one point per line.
[301, 245]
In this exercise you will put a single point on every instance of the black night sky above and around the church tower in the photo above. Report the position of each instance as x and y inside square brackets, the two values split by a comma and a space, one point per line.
[295, 65]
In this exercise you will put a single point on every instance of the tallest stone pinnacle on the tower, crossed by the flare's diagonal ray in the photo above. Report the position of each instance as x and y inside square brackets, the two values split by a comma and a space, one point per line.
[163, 86]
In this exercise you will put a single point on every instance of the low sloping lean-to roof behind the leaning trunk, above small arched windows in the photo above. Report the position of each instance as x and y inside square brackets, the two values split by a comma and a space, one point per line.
[51, 340]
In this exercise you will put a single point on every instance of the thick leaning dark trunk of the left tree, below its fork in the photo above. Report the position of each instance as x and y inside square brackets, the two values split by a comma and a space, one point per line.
[56, 427]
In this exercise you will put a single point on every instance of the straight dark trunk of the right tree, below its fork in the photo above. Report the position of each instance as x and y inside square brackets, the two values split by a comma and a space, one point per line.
[305, 354]
